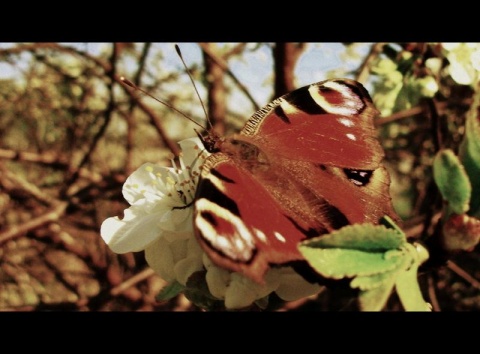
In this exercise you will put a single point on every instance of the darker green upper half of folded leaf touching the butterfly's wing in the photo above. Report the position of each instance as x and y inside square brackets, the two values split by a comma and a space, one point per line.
[364, 237]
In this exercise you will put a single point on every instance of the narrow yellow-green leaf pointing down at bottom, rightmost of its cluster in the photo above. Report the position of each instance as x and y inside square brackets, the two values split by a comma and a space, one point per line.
[409, 292]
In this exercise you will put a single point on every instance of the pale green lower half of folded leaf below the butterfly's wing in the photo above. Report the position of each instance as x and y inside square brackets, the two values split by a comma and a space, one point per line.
[339, 263]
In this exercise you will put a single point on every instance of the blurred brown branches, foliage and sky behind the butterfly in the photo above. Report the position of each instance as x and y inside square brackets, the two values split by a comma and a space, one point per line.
[72, 132]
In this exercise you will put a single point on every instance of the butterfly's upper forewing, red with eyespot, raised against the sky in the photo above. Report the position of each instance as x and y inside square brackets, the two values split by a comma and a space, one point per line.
[329, 123]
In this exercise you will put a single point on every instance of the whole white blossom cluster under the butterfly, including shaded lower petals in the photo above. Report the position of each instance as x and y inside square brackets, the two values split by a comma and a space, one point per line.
[159, 221]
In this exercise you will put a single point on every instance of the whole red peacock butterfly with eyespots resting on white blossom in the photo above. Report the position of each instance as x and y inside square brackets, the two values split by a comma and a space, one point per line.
[305, 164]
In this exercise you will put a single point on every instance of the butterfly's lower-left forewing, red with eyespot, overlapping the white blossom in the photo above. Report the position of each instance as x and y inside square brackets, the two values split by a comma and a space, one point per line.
[239, 224]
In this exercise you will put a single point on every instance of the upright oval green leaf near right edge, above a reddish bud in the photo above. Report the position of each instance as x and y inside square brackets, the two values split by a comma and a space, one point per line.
[452, 181]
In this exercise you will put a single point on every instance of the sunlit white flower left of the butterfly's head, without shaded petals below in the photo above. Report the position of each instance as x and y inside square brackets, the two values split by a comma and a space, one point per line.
[160, 199]
